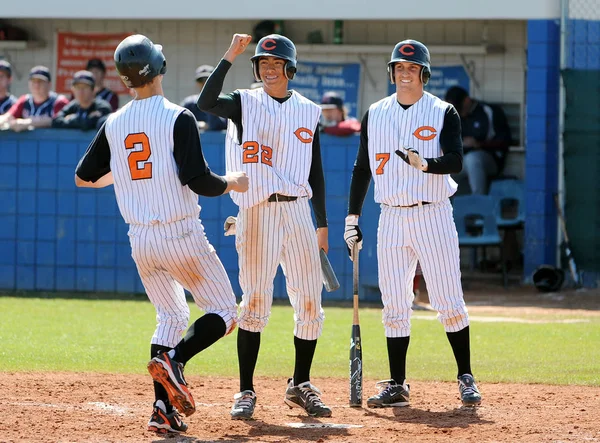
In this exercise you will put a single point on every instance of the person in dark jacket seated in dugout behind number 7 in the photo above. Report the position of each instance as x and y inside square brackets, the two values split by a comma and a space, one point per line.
[486, 138]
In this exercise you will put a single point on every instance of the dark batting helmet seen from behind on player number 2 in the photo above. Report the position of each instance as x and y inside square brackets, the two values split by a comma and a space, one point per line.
[138, 60]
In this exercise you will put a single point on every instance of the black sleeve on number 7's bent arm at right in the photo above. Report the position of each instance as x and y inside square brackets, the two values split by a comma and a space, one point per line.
[451, 143]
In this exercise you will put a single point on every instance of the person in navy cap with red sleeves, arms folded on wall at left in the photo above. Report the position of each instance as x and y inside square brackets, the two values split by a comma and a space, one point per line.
[39, 107]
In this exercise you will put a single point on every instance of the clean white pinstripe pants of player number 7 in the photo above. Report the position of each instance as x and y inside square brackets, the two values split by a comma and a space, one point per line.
[427, 234]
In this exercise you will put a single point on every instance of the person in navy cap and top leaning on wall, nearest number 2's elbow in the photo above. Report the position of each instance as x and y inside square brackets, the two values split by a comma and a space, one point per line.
[86, 110]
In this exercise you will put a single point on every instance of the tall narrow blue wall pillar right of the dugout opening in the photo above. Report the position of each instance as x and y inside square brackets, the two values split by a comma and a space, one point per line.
[541, 155]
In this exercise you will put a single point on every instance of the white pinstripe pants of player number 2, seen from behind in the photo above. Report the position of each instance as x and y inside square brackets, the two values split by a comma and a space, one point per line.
[173, 256]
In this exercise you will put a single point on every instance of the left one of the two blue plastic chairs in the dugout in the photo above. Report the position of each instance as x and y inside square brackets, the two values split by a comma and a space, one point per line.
[476, 224]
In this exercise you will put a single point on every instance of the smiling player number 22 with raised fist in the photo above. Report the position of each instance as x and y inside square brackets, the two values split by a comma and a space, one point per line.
[272, 135]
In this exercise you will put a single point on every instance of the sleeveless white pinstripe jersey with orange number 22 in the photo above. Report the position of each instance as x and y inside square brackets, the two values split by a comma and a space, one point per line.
[276, 146]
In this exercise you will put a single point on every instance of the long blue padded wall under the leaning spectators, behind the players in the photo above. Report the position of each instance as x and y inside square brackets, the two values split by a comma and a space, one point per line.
[57, 237]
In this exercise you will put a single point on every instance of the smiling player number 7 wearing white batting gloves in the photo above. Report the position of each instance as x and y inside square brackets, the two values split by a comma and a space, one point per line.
[410, 143]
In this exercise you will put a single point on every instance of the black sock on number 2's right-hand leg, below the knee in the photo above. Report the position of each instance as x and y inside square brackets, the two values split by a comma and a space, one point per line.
[204, 332]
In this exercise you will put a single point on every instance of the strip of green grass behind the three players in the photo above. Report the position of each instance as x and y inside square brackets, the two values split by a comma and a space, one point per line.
[113, 336]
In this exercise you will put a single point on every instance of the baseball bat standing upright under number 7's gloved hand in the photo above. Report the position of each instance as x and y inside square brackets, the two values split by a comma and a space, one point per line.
[355, 342]
